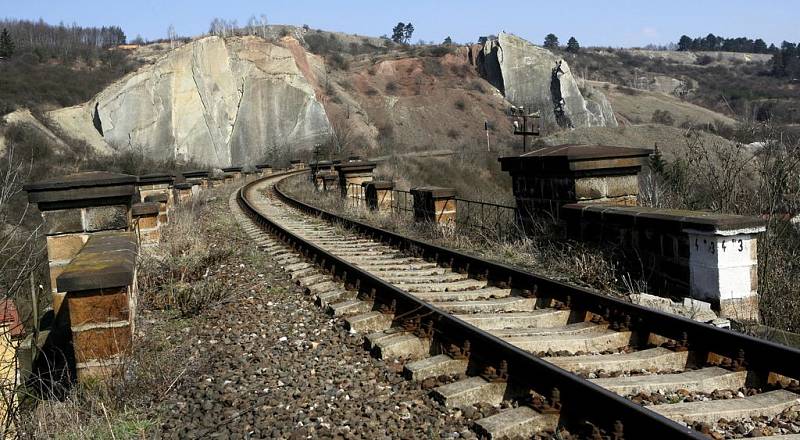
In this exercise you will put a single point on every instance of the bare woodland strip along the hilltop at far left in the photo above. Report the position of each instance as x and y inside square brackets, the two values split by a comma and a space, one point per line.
[59, 41]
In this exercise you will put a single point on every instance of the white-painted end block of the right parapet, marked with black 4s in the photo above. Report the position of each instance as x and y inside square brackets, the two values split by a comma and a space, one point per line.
[723, 267]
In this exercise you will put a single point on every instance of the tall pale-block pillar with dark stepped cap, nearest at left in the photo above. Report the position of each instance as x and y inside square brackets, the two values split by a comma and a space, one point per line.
[74, 208]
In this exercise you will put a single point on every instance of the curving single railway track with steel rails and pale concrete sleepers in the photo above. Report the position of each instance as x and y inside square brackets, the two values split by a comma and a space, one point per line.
[565, 357]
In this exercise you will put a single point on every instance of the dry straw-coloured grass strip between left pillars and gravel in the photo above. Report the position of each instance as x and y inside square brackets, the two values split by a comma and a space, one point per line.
[176, 286]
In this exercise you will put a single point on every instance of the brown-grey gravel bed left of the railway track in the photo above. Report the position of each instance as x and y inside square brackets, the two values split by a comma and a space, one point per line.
[272, 365]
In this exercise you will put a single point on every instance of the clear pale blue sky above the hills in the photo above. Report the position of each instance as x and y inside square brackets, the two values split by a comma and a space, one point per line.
[618, 23]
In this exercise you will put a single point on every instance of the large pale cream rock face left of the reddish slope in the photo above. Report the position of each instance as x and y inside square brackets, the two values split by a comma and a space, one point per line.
[214, 101]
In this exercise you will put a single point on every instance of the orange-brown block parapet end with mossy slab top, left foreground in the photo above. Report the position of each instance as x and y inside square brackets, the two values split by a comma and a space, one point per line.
[101, 301]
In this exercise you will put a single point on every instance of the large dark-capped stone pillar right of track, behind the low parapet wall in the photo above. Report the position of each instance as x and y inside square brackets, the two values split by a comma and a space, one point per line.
[547, 178]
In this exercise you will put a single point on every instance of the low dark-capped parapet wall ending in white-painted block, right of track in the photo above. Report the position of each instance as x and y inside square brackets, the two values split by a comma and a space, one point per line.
[707, 256]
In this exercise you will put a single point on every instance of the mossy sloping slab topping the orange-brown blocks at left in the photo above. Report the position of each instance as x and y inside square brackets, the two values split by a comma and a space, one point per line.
[107, 260]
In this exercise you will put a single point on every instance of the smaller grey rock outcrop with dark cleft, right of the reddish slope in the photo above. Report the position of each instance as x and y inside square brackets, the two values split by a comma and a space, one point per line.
[533, 77]
